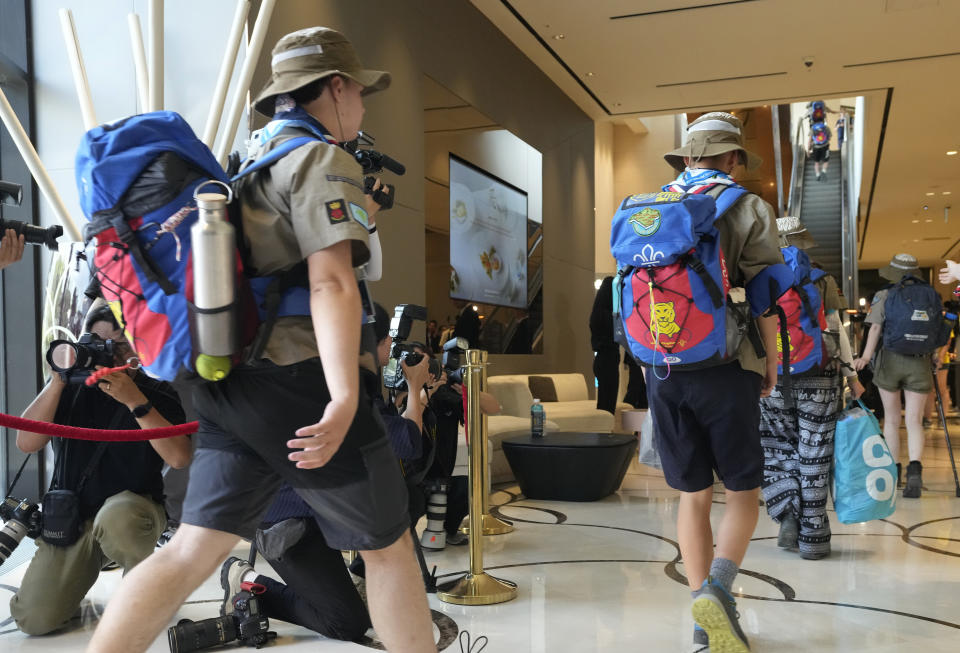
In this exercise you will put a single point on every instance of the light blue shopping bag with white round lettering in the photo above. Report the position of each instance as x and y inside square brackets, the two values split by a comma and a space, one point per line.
[864, 472]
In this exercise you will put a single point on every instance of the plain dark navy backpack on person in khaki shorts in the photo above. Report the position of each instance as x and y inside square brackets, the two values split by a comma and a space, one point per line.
[912, 322]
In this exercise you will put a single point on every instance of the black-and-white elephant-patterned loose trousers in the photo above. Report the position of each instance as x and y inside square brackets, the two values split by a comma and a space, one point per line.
[798, 456]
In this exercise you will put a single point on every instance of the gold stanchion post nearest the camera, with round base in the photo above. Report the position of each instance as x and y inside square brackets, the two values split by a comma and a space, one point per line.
[476, 587]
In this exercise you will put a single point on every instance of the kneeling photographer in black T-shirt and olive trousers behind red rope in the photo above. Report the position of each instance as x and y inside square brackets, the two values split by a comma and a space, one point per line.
[105, 503]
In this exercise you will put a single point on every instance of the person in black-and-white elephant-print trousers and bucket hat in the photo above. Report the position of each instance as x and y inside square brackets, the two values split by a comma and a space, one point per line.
[798, 434]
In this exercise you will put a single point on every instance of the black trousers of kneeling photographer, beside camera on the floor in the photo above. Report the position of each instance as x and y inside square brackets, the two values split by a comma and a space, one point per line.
[319, 593]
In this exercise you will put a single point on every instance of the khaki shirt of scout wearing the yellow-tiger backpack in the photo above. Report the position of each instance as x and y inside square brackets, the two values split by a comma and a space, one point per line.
[748, 236]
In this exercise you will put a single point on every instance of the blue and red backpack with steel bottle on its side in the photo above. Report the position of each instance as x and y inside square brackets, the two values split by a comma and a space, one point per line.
[136, 180]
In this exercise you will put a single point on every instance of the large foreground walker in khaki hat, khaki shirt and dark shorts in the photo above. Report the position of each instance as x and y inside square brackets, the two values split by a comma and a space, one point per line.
[295, 411]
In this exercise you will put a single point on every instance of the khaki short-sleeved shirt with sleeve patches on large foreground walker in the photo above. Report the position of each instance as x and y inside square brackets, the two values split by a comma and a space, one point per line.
[310, 199]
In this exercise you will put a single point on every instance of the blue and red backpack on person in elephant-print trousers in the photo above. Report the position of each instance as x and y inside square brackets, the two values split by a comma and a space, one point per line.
[803, 321]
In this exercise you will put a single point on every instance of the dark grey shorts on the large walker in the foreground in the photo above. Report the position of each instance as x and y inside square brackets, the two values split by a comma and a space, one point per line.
[241, 460]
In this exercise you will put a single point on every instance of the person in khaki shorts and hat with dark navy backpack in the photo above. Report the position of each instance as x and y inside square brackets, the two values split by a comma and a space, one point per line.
[894, 372]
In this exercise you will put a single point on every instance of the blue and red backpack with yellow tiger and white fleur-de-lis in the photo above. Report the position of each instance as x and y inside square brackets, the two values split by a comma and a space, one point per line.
[671, 295]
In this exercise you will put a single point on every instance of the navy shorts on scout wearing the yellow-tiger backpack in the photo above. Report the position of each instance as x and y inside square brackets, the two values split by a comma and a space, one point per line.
[708, 420]
